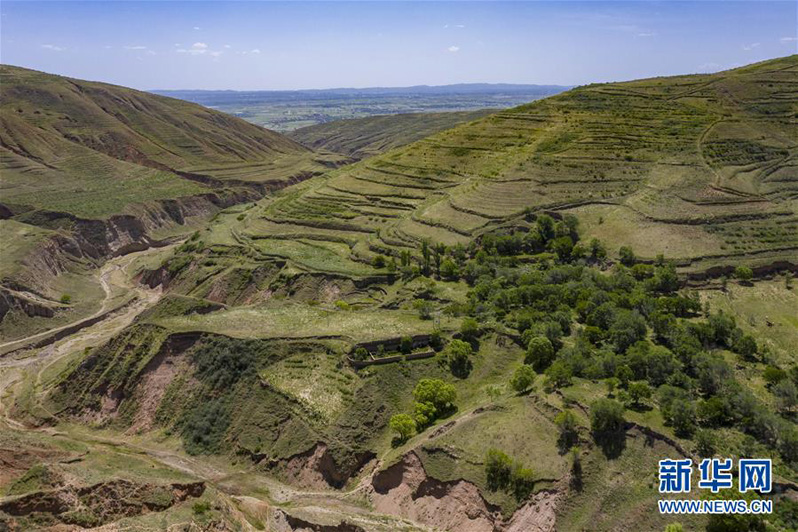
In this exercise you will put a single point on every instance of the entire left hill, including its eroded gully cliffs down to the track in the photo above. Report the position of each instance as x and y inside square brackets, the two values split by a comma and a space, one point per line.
[90, 170]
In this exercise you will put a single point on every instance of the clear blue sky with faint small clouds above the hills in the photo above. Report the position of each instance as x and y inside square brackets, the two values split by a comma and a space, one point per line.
[291, 45]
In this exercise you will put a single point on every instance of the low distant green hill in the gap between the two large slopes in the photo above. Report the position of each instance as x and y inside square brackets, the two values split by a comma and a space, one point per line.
[365, 137]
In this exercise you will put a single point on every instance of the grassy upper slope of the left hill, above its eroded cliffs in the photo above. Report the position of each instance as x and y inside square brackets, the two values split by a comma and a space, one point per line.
[92, 149]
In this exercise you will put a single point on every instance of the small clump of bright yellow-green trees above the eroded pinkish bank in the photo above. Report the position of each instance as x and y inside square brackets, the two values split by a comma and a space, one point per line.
[434, 398]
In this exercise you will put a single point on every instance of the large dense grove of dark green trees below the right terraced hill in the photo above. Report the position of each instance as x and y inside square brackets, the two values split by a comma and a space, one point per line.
[630, 326]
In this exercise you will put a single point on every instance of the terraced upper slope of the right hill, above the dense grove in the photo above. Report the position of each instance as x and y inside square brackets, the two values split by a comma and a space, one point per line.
[702, 169]
